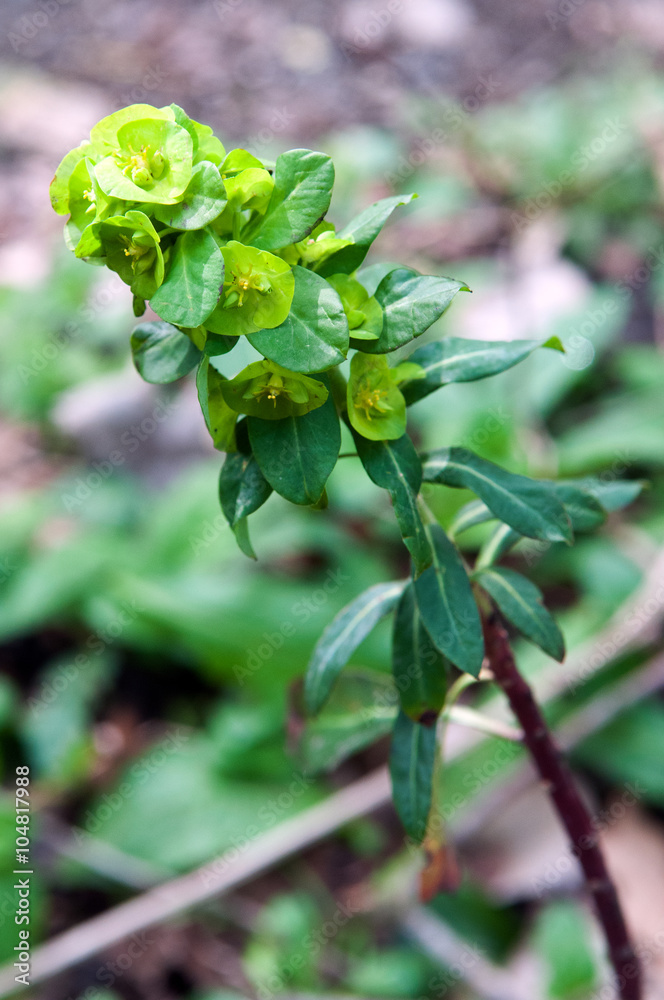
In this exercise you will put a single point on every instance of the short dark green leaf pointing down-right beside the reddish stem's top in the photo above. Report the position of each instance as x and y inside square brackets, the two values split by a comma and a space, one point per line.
[521, 603]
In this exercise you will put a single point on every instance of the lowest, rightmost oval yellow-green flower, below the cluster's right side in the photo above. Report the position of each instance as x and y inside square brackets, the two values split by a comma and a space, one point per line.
[376, 408]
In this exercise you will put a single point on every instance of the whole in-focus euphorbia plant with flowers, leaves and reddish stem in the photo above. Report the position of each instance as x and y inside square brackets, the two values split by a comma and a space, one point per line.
[225, 246]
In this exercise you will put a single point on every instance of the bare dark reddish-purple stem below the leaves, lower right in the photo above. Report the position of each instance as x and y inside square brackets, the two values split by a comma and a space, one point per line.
[569, 806]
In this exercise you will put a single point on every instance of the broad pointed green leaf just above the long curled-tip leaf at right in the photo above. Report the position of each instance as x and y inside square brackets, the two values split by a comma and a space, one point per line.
[411, 302]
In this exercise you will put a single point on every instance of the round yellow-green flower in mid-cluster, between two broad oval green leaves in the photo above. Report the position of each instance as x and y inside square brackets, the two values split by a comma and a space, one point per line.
[257, 294]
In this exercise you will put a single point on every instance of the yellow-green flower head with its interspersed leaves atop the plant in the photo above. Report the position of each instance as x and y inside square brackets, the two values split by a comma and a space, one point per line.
[223, 245]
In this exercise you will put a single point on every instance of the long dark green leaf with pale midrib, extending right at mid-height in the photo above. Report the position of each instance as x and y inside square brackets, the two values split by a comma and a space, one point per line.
[529, 506]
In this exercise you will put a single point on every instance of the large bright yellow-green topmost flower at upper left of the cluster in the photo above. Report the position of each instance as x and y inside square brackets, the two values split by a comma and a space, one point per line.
[145, 158]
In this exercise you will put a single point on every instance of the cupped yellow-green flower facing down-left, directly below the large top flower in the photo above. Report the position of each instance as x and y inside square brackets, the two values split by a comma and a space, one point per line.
[130, 245]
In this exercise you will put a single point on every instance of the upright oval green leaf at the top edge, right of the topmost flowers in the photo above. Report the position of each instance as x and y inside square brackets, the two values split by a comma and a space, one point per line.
[303, 183]
